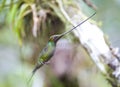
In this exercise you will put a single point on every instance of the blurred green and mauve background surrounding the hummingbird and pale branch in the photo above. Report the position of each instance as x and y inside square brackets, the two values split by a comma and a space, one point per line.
[21, 43]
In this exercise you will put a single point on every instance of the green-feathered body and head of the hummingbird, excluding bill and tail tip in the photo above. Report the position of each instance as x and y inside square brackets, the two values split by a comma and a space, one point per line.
[47, 52]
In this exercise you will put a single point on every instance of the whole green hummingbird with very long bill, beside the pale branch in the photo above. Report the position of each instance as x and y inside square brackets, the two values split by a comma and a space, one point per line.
[48, 51]
